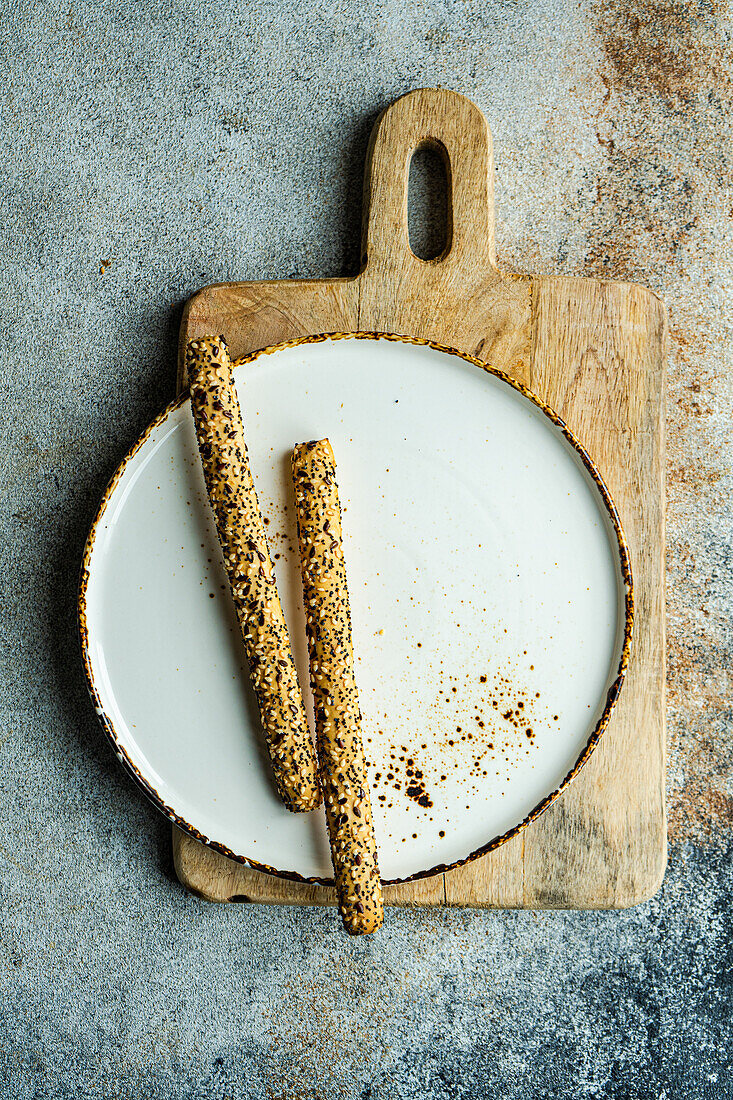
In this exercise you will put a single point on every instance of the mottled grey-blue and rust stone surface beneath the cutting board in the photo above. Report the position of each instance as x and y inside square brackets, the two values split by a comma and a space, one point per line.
[149, 148]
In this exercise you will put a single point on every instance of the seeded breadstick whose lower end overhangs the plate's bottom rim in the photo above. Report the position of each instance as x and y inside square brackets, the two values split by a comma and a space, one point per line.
[338, 718]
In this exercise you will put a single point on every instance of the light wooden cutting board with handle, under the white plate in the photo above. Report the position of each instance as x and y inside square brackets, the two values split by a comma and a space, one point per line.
[593, 350]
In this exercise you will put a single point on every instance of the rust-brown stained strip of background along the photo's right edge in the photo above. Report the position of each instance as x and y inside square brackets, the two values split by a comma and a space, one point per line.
[652, 205]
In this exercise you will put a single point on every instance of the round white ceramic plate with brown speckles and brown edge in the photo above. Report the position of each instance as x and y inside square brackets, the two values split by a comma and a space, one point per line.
[490, 592]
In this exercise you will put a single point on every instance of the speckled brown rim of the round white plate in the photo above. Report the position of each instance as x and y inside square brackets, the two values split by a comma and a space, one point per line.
[612, 694]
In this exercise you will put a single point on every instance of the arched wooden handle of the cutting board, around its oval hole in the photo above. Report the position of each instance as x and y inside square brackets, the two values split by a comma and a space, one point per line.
[457, 129]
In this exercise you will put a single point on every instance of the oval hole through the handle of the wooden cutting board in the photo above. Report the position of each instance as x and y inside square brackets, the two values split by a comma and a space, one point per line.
[429, 203]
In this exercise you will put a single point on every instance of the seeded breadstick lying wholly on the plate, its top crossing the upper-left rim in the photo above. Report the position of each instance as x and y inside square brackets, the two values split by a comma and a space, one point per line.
[234, 501]
